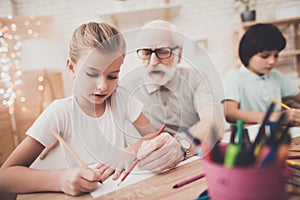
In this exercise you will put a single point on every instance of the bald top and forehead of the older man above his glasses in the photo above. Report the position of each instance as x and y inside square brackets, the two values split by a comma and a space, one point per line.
[153, 37]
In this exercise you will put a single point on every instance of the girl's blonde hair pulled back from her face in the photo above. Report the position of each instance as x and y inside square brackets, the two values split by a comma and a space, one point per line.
[101, 36]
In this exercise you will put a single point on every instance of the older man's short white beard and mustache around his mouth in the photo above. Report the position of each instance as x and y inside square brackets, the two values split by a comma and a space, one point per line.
[163, 74]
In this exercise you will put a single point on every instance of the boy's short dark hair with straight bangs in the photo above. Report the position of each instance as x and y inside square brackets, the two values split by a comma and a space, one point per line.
[259, 38]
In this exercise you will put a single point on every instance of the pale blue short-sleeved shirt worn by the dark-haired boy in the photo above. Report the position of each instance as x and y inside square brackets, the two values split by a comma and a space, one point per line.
[254, 92]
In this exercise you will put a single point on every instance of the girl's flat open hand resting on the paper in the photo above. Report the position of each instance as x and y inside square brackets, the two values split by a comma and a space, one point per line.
[116, 165]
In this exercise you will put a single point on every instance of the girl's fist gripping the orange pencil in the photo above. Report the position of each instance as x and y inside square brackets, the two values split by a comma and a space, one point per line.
[77, 181]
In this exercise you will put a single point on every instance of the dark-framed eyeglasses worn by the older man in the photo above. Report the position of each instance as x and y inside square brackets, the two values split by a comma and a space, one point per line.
[161, 53]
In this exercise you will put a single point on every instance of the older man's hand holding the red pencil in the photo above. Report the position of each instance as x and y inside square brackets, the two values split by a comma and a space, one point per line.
[160, 153]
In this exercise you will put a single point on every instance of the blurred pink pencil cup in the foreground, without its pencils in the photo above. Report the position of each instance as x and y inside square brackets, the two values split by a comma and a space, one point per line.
[245, 183]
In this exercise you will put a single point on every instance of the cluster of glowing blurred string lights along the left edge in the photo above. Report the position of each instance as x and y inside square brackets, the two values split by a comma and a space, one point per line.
[10, 56]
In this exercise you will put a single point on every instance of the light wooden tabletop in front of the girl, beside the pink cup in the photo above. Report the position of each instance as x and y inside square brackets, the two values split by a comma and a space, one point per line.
[155, 187]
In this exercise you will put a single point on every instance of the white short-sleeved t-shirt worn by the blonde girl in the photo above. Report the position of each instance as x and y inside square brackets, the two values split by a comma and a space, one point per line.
[93, 139]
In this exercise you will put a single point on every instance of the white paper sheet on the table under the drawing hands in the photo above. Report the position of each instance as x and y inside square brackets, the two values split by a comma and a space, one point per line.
[136, 175]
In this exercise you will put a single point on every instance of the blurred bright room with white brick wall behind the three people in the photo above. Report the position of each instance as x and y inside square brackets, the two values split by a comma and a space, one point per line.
[34, 38]
